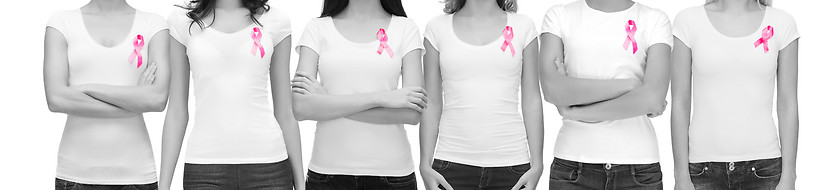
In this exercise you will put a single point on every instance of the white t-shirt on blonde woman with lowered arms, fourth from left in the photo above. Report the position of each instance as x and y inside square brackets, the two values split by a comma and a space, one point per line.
[481, 124]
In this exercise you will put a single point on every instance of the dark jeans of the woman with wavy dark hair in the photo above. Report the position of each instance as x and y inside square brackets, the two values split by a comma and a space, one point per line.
[274, 176]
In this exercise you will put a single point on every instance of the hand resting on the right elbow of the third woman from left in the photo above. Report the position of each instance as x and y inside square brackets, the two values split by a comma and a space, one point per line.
[410, 97]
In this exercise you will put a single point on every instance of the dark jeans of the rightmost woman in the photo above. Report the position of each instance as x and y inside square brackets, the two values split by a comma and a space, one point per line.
[753, 174]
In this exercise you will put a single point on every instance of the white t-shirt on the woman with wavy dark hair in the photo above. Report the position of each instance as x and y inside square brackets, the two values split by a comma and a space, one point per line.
[234, 121]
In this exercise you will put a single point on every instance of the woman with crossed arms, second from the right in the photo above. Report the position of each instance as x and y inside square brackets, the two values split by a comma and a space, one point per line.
[594, 55]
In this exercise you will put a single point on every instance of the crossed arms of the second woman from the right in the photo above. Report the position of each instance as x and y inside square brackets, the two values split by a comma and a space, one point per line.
[601, 100]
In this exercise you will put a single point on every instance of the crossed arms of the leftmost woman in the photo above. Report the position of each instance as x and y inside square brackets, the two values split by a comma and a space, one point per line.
[100, 100]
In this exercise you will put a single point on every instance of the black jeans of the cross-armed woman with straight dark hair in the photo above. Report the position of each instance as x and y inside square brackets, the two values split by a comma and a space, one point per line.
[319, 181]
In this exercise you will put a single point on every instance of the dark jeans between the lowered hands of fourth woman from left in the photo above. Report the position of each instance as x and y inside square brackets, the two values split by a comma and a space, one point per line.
[462, 176]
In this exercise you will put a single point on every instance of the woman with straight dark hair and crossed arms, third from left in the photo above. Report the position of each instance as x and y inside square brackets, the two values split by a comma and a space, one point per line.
[360, 48]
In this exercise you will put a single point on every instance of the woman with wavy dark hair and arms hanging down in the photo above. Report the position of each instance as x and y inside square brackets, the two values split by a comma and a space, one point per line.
[239, 140]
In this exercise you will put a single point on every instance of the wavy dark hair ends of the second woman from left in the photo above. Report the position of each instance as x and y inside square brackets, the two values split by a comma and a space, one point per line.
[199, 9]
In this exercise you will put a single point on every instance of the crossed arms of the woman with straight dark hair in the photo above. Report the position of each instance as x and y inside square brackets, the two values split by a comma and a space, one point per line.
[402, 106]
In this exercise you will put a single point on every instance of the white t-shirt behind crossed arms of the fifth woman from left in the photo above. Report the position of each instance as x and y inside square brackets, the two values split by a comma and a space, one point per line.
[594, 48]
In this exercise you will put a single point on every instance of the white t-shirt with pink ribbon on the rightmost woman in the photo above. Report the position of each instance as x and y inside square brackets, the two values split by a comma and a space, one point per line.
[733, 84]
